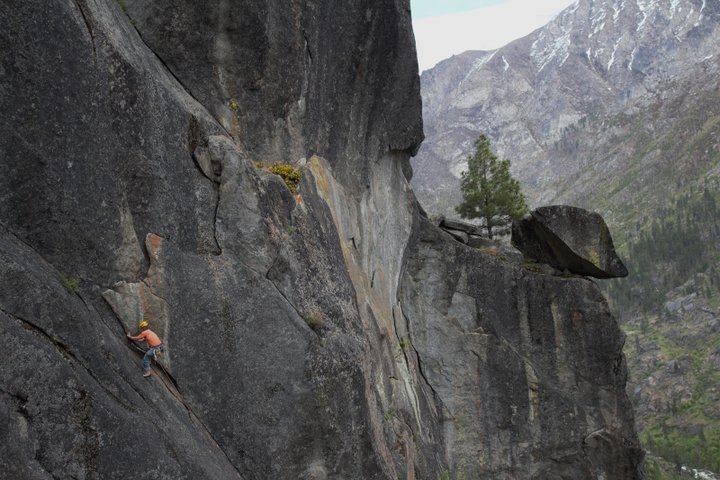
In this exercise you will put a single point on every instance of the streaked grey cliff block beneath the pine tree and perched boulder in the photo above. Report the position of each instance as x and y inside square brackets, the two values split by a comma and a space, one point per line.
[528, 367]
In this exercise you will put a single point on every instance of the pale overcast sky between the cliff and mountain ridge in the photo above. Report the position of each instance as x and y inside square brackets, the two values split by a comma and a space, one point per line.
[444, 28]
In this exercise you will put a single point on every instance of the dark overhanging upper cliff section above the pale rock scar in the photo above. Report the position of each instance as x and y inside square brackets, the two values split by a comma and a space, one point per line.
[288, 78]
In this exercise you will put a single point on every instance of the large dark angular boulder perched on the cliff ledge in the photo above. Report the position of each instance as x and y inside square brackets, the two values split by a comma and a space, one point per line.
[569, 238]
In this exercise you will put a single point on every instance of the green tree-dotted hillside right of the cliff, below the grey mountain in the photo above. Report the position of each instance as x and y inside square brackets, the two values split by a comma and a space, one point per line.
[669, 306]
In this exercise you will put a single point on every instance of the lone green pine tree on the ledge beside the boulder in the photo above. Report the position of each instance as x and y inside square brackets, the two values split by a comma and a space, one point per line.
[489, 191]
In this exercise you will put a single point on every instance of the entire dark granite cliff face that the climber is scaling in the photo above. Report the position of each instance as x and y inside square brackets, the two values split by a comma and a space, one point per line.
[333, 335]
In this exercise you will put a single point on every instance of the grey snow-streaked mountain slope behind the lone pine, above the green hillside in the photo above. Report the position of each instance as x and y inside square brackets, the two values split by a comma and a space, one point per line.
[592, 109]
